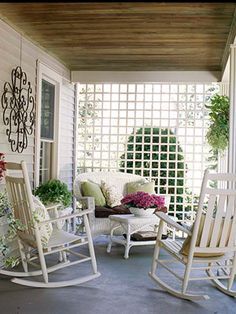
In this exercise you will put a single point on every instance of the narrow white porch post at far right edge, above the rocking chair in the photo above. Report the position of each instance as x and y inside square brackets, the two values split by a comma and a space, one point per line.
[232, 120]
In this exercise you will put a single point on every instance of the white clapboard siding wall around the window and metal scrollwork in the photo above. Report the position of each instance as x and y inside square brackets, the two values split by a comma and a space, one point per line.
[10, 52]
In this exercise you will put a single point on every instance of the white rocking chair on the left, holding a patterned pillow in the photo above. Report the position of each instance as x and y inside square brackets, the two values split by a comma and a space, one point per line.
[29, 239]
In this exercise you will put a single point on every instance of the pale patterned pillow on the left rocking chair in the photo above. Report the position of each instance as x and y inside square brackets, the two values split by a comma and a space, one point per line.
[40, 214]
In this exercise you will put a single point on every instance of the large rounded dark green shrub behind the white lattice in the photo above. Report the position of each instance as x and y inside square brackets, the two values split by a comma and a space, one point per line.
[157, 161]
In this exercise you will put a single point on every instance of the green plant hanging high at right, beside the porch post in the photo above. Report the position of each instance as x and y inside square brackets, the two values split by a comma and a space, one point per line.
[218, 133]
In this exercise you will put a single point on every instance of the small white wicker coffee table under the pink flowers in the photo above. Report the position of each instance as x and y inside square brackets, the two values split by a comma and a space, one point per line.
[131, 224]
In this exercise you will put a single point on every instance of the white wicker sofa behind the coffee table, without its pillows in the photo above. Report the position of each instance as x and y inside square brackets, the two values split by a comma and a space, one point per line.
[101, 226]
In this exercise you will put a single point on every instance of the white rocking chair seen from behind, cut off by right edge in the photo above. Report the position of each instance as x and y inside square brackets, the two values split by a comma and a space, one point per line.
[212, 245]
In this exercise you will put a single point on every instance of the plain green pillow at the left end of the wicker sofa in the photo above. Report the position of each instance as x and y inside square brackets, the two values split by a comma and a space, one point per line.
[92, 189]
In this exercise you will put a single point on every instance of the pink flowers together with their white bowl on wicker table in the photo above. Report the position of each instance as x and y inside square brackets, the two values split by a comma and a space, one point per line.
[144, 204]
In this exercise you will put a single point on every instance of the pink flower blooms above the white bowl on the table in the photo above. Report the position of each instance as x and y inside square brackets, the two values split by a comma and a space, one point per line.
[143, 200]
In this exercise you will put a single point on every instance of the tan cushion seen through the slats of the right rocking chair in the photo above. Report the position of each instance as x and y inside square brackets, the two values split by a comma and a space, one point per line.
[186, 244]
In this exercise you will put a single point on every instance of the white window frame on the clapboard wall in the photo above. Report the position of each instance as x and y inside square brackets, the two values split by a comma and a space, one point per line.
[44, 72]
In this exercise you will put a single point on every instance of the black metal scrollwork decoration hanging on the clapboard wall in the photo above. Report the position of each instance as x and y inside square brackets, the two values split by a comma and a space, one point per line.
[18, 110]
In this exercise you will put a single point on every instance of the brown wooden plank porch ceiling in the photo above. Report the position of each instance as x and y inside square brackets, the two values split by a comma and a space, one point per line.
[129, 36]
